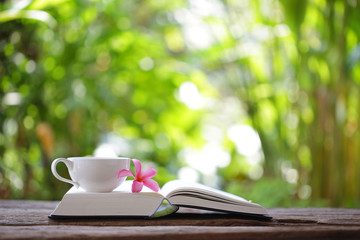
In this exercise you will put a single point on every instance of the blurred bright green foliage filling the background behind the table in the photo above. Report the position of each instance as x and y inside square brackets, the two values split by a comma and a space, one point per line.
[260, 98]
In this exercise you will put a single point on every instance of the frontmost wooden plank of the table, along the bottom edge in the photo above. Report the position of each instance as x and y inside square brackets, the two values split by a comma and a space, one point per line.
[177, 232]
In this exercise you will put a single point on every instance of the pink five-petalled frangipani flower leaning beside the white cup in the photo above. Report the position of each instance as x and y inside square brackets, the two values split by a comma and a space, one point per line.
[141, 178]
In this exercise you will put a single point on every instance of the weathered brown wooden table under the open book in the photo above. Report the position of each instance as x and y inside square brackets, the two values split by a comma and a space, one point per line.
[29, 220]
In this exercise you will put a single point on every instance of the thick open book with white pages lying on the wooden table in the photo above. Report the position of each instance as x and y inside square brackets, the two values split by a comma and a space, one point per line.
[174, 194]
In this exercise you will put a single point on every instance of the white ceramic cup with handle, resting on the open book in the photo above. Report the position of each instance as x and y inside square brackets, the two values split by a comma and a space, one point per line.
[93, 174]
